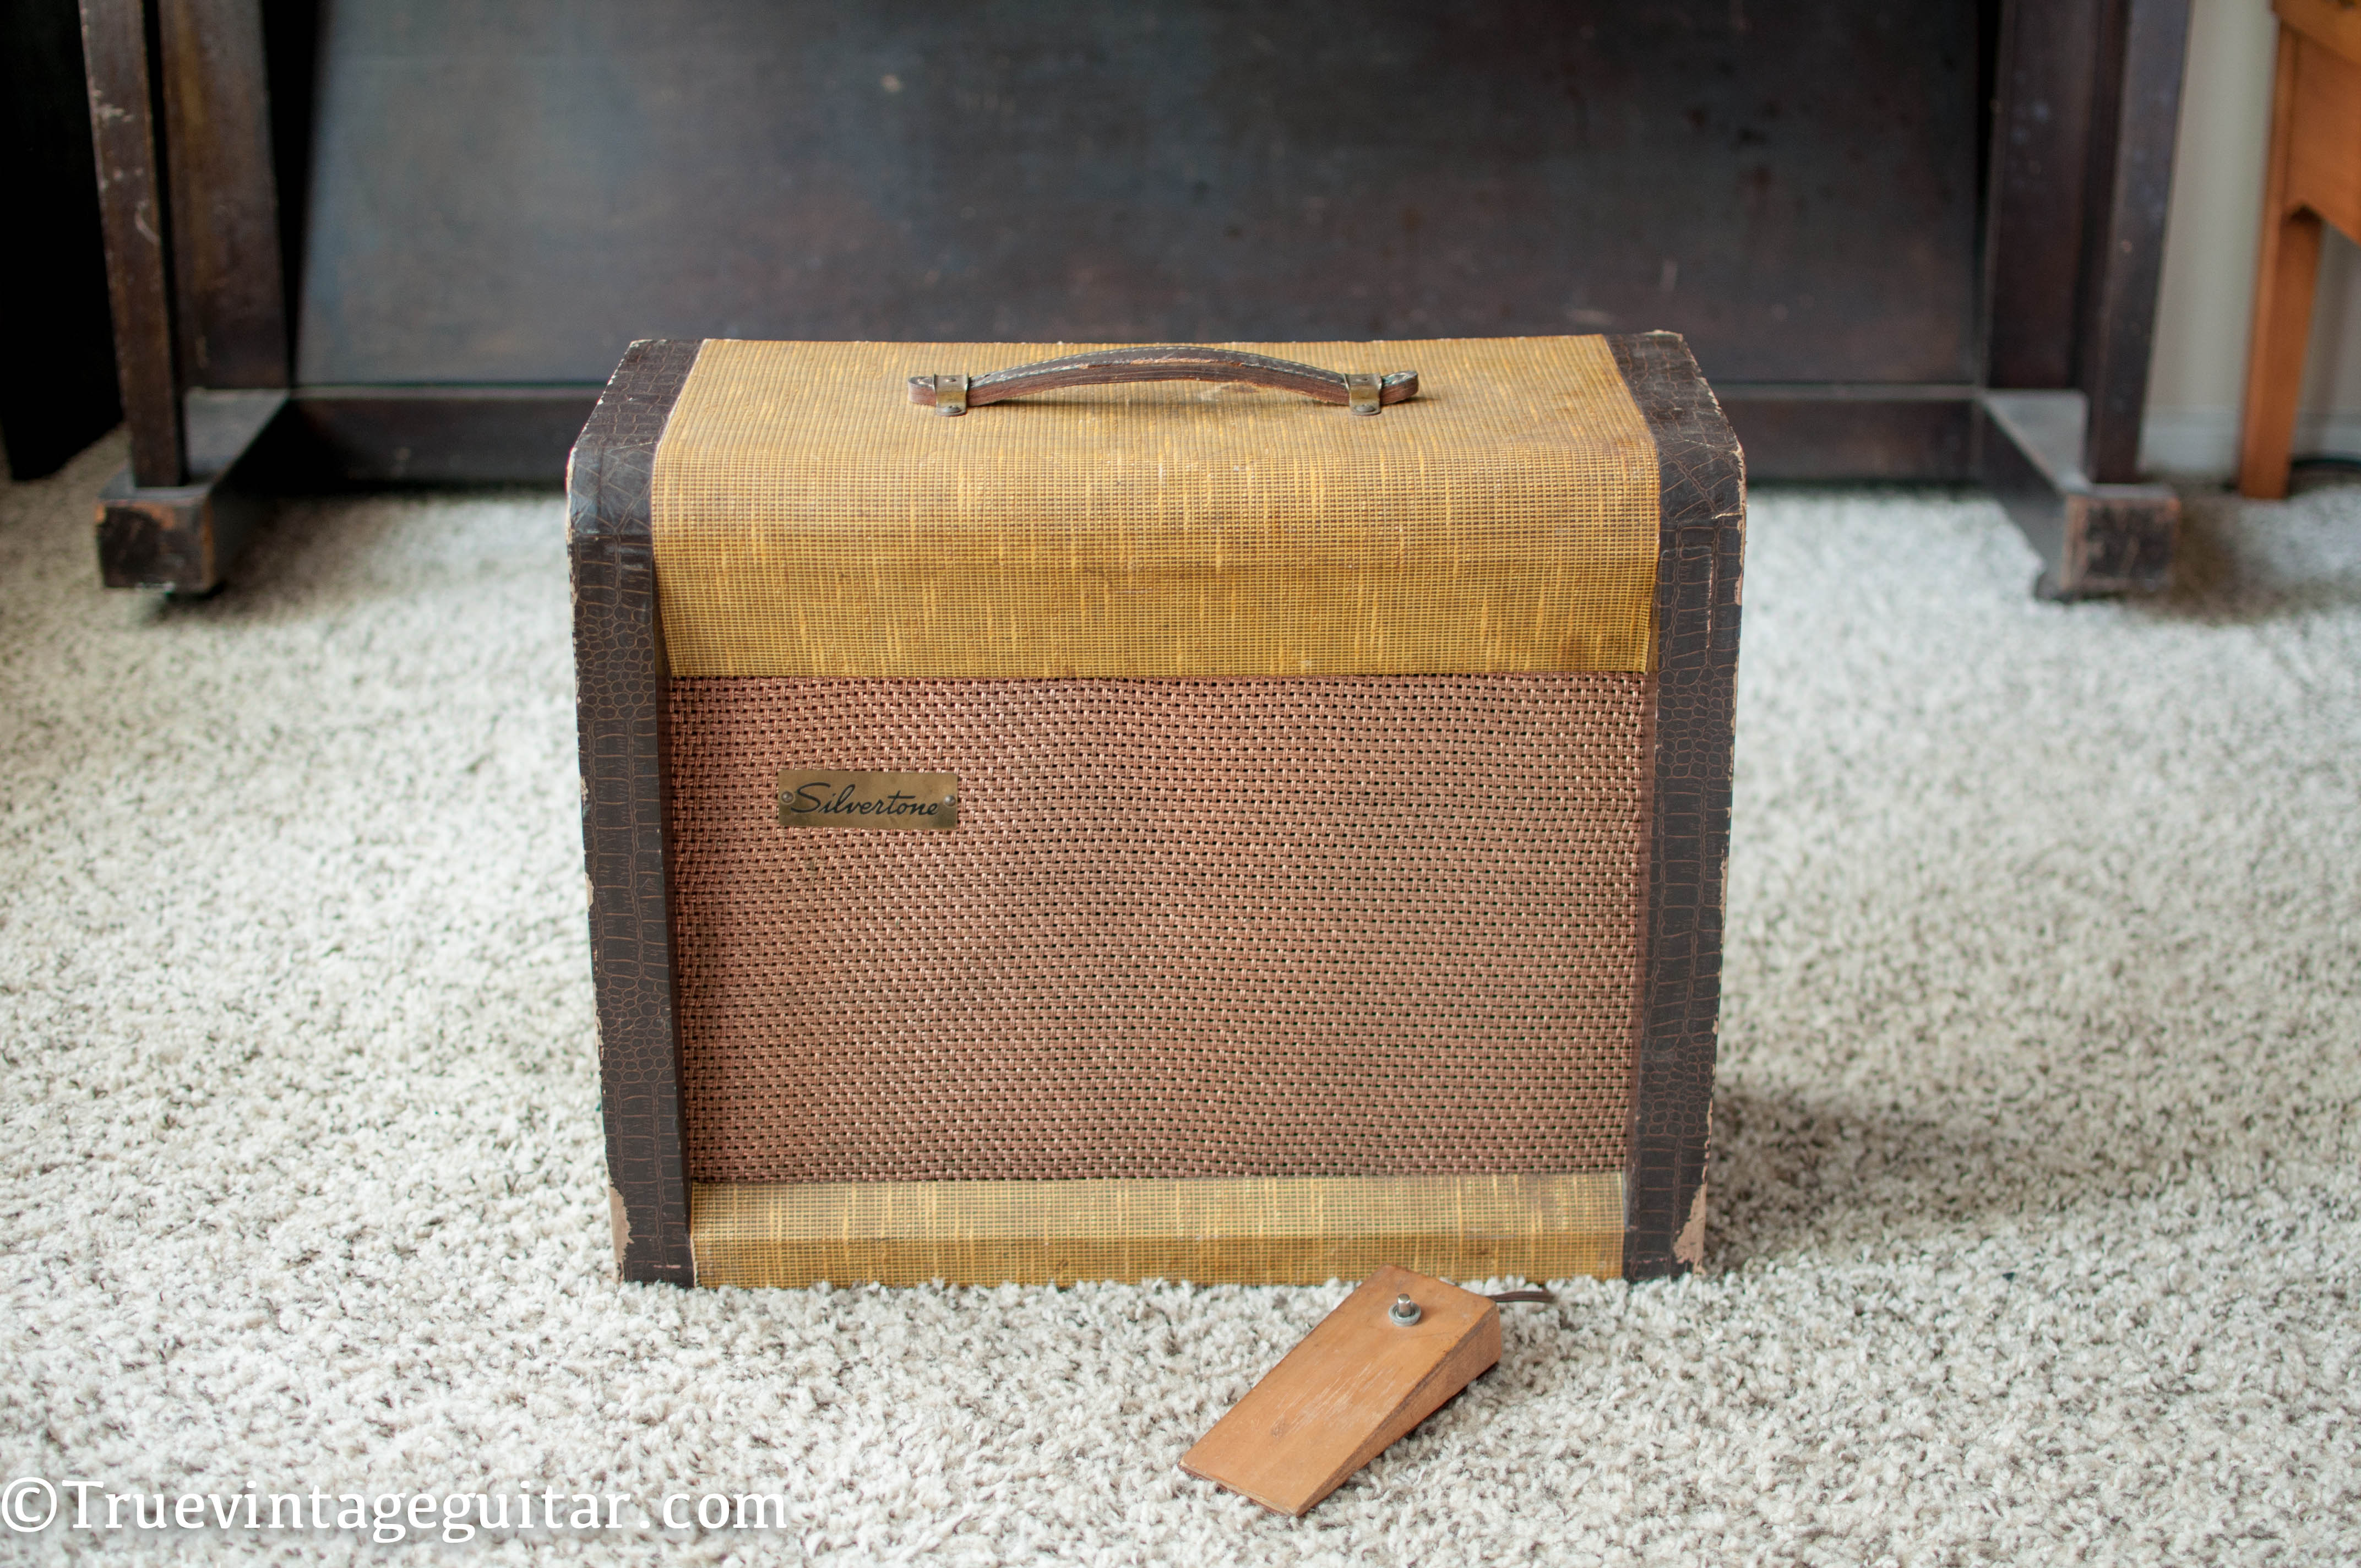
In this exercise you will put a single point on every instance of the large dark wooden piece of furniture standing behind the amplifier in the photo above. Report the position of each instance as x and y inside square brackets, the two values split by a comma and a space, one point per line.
[1864, 216]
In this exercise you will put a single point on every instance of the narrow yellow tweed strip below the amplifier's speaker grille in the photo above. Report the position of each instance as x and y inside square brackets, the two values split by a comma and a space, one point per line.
[1238, 1231]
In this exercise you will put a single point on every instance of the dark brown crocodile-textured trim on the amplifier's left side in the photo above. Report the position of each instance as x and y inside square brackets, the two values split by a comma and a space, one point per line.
[620, 674]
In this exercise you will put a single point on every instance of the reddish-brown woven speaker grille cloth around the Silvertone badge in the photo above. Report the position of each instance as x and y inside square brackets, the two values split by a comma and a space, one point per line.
[1354, 927]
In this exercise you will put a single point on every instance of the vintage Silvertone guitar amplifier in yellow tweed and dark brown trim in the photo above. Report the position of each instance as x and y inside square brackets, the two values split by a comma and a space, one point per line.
[1205, 814]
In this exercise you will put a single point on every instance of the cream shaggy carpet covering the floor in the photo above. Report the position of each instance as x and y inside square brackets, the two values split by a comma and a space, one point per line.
[2039, 1142]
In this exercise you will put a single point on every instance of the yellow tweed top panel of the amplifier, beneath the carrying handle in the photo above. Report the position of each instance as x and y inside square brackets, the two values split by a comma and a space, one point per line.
[809, 521]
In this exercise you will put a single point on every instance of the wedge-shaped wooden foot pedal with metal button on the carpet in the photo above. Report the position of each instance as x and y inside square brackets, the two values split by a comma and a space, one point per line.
[1385, 1361]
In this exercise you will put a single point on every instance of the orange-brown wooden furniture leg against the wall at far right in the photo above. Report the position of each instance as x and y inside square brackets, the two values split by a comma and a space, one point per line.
[2284, 277]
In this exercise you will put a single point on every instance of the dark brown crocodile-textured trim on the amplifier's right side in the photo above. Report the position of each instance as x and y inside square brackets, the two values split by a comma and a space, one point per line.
[1703, 504]
